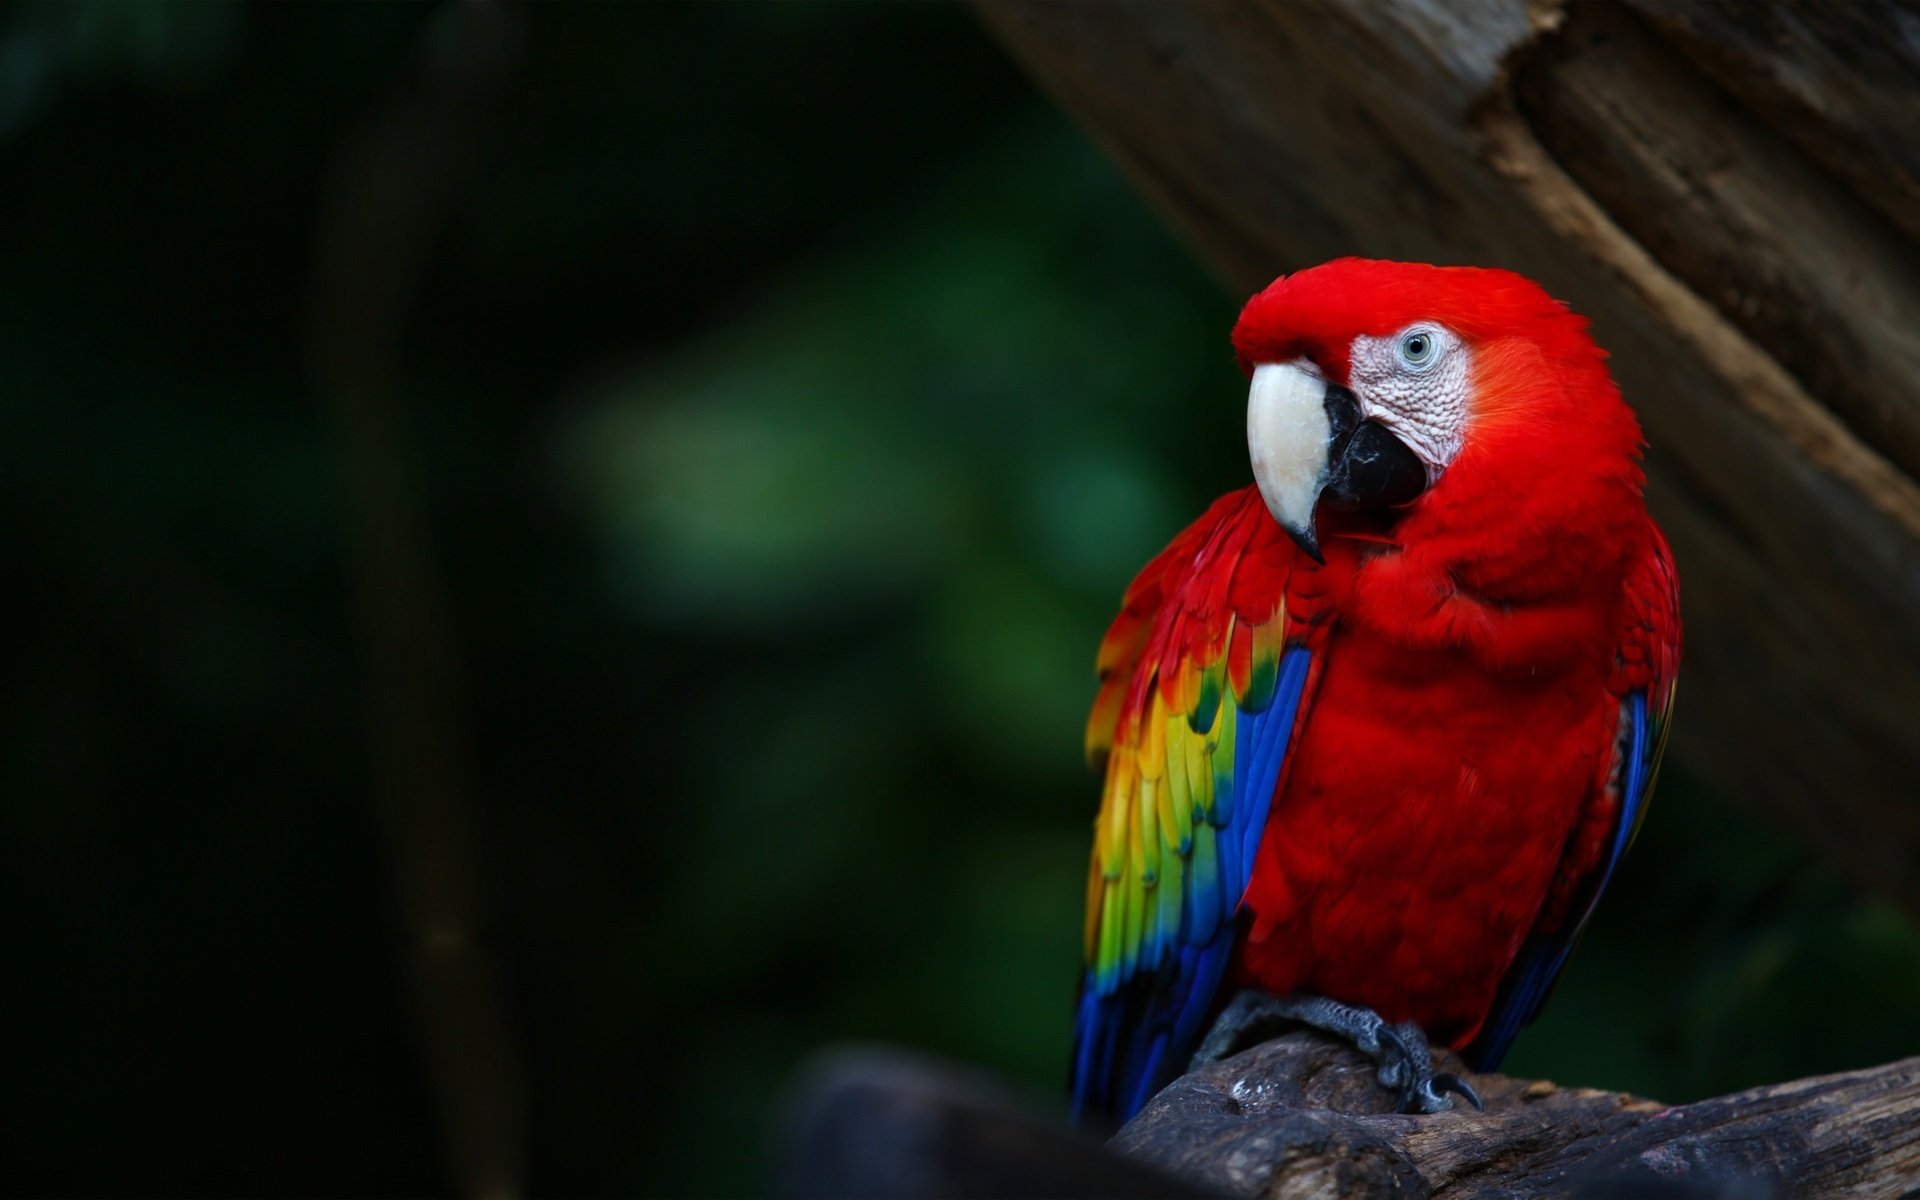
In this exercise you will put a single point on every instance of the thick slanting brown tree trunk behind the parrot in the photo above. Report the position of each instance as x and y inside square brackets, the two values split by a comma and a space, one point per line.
[1727, 191]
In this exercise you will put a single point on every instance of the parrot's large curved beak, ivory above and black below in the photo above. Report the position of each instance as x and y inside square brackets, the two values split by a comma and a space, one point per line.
[1308, 439]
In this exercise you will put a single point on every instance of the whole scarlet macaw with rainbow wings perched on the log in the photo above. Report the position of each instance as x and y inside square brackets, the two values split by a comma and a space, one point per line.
[1380, 727]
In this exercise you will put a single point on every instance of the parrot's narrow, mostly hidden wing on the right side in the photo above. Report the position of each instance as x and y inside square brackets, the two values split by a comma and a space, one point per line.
[1644, 696]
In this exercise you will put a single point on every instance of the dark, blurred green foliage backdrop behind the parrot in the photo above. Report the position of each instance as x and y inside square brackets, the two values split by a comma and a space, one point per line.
[556, 560]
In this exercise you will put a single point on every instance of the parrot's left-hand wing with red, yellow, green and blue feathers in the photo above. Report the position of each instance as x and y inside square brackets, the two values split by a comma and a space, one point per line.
[1199, 700]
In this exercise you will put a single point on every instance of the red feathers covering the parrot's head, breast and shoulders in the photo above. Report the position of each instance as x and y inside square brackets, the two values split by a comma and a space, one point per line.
[1458, 773]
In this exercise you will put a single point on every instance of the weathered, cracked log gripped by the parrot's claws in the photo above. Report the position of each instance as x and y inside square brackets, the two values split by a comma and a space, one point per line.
[1303, 1116]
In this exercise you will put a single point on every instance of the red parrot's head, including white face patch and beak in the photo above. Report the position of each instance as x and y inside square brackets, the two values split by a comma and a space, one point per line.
[1387, 387]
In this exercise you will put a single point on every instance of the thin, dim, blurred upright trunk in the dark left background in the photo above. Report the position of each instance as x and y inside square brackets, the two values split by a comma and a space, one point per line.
[377, 233]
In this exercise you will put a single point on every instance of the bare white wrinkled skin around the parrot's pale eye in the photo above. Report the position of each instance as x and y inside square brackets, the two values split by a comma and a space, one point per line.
[1416, 383]
